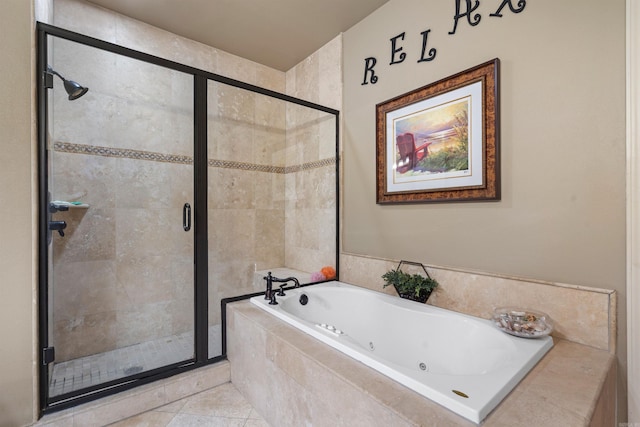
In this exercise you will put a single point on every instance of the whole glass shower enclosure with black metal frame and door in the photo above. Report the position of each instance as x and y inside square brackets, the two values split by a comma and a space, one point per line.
[165, 190]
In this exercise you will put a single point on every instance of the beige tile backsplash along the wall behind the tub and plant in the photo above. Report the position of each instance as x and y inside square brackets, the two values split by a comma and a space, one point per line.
[581, 314]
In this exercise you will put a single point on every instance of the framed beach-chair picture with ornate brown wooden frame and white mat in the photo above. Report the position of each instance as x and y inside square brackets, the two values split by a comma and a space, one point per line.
[440, 142]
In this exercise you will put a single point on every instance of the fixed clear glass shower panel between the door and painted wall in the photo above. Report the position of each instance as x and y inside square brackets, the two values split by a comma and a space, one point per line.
[272, 191]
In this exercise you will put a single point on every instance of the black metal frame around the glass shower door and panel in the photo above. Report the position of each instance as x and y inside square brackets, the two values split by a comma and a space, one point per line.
[201, 278]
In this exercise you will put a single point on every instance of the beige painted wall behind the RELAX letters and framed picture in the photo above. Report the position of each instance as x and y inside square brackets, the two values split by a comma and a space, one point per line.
[562, 213]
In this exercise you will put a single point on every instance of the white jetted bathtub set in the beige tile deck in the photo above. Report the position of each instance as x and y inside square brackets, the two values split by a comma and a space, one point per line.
[461, 362]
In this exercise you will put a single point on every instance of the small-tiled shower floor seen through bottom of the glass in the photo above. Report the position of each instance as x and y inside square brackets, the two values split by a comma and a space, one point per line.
[96, 369]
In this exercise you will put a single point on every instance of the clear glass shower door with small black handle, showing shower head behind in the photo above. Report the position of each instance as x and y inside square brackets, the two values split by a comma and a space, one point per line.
[121, 244]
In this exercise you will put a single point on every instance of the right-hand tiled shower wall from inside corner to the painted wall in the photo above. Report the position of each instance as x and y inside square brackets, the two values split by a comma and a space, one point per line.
[311, 219]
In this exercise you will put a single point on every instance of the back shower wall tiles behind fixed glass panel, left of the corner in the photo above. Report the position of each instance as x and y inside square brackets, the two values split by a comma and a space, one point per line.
[246, 136]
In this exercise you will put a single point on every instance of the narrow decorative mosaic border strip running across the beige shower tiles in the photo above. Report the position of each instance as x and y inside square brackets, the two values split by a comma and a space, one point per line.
[67, 147]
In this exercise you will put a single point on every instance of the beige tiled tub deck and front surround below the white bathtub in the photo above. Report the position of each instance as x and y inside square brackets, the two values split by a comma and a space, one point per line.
[293, 379]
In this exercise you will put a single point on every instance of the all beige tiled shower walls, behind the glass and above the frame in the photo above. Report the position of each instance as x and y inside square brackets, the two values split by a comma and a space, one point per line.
[271, 185]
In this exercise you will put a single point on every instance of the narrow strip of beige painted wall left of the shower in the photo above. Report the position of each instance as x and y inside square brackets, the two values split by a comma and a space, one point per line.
[17, 213]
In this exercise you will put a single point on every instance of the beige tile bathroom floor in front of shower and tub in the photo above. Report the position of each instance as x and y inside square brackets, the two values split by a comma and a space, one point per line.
[222, 406]
